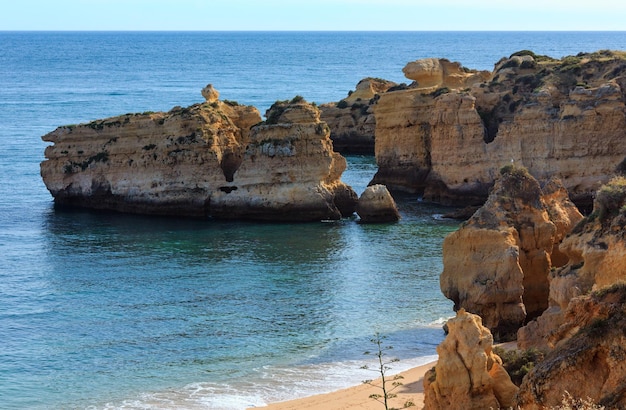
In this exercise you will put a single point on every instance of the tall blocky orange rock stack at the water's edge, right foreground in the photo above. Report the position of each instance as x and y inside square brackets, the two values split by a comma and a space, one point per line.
[497, 264]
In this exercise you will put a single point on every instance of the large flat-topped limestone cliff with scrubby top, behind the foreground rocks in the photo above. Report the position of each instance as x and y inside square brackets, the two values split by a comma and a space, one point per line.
[447, 137]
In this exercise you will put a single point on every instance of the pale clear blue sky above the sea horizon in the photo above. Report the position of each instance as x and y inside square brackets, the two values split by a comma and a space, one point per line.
[312, 15]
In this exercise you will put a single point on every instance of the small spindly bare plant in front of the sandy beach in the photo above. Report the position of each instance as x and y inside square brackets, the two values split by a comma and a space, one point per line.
[387, 385]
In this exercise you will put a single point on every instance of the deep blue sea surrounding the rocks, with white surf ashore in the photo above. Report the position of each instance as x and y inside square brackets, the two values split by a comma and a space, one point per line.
[103, 310]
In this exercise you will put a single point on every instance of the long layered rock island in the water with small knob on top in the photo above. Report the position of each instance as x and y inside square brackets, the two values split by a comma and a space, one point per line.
[202, 161]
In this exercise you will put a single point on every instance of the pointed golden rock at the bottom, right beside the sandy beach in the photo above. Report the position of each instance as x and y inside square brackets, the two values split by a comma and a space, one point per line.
[468, 375]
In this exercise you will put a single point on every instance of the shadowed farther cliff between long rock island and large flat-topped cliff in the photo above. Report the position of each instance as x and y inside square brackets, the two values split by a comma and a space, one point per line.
[352, 121]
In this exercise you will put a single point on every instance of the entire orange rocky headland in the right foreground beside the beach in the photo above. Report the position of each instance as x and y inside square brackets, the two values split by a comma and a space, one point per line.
[531, 266]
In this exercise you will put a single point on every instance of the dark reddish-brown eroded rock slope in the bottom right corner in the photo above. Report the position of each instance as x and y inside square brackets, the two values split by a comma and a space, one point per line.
[591, 361]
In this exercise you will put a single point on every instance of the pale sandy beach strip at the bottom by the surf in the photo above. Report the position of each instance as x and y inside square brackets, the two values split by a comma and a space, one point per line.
[357, 397]
